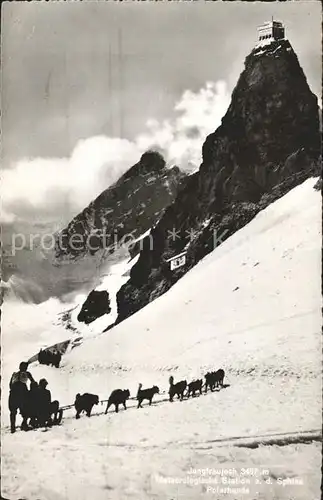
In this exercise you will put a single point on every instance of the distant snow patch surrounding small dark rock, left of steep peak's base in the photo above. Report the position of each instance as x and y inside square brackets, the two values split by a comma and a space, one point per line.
[52, 322]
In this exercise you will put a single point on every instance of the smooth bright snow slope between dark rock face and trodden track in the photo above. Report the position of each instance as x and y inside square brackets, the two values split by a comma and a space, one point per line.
[258, 288]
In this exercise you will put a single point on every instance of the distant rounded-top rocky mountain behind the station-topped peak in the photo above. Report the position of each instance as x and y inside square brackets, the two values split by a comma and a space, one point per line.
[124, 211]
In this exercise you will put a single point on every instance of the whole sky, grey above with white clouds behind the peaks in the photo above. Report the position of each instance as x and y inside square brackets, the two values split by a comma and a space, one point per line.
[87, 85]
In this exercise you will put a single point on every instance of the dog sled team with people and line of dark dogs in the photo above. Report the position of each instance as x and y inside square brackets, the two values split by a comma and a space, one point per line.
[38, 410]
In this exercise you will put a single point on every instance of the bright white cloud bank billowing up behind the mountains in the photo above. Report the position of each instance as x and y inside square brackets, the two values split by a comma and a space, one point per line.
[61, 187]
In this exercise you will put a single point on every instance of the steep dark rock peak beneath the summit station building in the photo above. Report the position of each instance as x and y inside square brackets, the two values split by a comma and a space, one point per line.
[268, 142]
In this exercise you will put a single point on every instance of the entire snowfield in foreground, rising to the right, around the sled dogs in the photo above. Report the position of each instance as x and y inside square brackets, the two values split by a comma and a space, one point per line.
[251, 307]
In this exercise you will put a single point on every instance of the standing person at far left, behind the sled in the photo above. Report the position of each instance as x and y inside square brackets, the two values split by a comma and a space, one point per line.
[18, 395]
